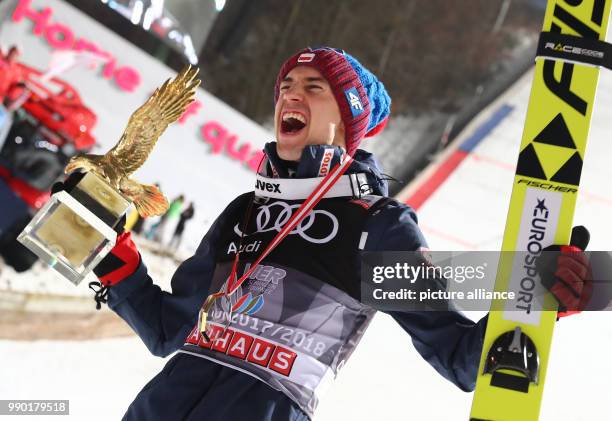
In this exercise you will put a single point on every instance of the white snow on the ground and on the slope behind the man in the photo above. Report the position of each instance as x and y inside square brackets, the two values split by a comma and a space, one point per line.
[385, 379]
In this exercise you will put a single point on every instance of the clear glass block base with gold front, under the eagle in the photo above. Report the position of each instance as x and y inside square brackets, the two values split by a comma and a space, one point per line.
[68, 237]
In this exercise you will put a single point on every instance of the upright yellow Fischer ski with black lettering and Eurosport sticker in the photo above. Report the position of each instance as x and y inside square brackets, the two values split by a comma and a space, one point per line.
[541, 211]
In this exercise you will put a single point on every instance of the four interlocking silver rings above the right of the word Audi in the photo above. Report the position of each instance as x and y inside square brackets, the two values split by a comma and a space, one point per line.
[264, 223]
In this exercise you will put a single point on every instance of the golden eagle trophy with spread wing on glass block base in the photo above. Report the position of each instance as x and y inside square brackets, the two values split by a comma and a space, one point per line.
[78, 226]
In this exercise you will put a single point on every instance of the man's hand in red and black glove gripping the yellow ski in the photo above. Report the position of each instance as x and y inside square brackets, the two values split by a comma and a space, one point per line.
[567, 274]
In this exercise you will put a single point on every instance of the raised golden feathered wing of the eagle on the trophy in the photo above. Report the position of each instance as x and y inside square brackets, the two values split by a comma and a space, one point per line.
[148, 122]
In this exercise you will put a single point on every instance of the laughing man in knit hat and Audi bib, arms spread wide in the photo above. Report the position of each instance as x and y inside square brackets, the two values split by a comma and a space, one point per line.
[267, 310]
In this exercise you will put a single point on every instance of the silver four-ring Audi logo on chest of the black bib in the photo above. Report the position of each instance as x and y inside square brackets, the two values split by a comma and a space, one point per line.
[274, 216]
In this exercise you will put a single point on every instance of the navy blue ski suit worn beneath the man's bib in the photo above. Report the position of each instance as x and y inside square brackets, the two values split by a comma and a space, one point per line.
[195, 388]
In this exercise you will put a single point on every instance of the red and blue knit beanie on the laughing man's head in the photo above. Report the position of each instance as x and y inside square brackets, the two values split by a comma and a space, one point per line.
[363, 101]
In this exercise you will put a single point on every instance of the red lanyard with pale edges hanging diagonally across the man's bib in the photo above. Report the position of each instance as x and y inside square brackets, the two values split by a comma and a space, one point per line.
[233, 284]
